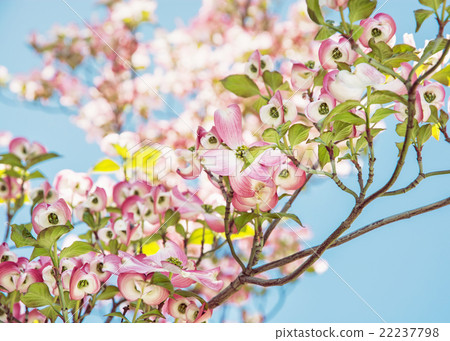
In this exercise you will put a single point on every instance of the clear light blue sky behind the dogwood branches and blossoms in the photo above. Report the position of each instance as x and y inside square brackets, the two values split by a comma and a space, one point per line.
[398, 273]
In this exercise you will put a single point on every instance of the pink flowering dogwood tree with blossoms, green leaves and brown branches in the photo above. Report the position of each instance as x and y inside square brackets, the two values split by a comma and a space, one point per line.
[193, 213]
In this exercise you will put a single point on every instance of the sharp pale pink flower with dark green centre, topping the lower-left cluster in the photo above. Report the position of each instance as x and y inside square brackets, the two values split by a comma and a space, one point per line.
[46, 215]
